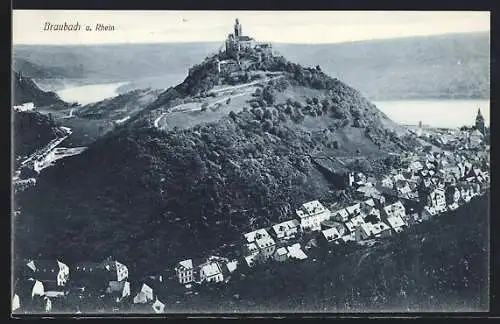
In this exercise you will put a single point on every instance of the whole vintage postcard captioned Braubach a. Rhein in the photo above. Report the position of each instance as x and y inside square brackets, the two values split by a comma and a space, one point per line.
[264, 162]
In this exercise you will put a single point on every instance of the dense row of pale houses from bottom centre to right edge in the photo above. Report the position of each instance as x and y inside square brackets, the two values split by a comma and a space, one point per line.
[431, 185]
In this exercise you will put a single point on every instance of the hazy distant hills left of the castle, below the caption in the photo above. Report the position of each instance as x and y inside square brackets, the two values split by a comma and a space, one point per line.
[107, 63]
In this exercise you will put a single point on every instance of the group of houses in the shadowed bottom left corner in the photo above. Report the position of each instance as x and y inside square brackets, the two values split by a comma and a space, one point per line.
[51, 285]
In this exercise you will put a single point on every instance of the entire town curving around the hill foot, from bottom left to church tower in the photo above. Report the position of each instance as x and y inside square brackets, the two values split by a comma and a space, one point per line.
[435, 181]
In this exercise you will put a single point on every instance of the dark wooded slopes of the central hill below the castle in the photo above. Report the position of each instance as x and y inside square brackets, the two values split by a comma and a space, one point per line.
[147, 196]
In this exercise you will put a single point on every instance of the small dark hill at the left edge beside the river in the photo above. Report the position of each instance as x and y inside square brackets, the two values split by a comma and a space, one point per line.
[25, 90]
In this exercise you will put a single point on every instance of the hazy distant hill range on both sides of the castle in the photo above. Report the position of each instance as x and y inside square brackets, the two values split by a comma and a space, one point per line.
[447, 66]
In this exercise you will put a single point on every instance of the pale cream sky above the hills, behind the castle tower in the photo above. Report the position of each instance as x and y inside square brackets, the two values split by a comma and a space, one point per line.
[214, 26]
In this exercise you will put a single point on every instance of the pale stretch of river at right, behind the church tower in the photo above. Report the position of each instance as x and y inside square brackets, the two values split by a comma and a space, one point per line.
[448, 113]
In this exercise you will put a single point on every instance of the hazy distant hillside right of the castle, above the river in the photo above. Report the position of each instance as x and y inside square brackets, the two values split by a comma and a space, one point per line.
[447, 66]
